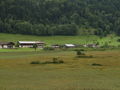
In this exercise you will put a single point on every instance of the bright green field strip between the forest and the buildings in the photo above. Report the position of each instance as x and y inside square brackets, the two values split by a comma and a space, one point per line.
[111, 40]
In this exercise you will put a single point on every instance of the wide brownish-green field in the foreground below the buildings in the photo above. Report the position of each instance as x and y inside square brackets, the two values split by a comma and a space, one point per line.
[16, 72]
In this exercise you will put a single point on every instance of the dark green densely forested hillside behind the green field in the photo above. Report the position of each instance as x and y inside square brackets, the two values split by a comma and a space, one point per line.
[60, 17]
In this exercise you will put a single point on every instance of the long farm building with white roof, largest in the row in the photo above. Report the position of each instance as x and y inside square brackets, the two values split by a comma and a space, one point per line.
[29, 44]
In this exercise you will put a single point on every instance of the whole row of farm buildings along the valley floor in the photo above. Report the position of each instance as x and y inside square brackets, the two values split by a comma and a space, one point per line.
[29, 44]
